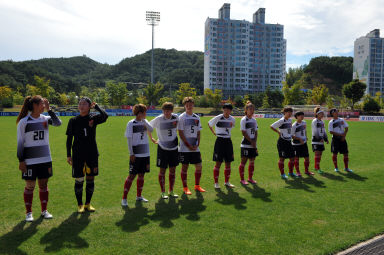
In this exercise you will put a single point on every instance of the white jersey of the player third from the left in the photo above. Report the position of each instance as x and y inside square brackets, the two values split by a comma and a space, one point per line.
[137, 131]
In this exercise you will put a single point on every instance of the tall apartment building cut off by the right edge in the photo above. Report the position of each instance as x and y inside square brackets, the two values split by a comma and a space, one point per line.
[368, 61]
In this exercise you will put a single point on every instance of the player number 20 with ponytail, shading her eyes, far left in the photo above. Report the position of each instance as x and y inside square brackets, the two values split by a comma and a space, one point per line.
[33, 150]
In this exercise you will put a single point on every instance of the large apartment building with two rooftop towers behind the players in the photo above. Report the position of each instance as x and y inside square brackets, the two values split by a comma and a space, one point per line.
[243, 57]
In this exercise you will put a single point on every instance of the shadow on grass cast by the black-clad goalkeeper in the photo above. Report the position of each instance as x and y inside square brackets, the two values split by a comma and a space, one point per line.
[66, 235]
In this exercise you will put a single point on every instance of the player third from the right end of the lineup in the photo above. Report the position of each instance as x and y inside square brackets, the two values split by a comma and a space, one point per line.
[299, 142]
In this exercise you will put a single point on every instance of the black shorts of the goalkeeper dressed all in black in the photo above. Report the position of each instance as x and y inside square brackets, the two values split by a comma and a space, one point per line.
[85, 167]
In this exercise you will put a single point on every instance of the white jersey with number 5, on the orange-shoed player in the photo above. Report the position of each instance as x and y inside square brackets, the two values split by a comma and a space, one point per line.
[190, 125]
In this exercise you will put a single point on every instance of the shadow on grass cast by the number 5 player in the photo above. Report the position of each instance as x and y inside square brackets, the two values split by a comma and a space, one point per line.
[192, 206]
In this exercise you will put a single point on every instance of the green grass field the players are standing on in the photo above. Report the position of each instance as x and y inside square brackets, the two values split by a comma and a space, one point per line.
[313, 215]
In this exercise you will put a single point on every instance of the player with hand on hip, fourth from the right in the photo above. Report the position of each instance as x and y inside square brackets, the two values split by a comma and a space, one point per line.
[283, 127]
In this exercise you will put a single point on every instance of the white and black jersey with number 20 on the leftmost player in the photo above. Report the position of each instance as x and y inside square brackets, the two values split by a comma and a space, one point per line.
[33, 138]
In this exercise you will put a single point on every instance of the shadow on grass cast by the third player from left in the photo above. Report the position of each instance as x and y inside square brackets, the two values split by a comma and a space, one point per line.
[134, 218]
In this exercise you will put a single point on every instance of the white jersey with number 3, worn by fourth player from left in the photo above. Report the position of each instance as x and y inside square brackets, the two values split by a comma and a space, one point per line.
[166, 130]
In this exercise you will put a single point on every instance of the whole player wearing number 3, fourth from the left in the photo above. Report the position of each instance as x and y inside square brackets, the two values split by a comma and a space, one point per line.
[167, 153]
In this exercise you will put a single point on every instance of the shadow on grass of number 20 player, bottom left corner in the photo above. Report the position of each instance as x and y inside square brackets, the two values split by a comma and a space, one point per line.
[20, 233]
